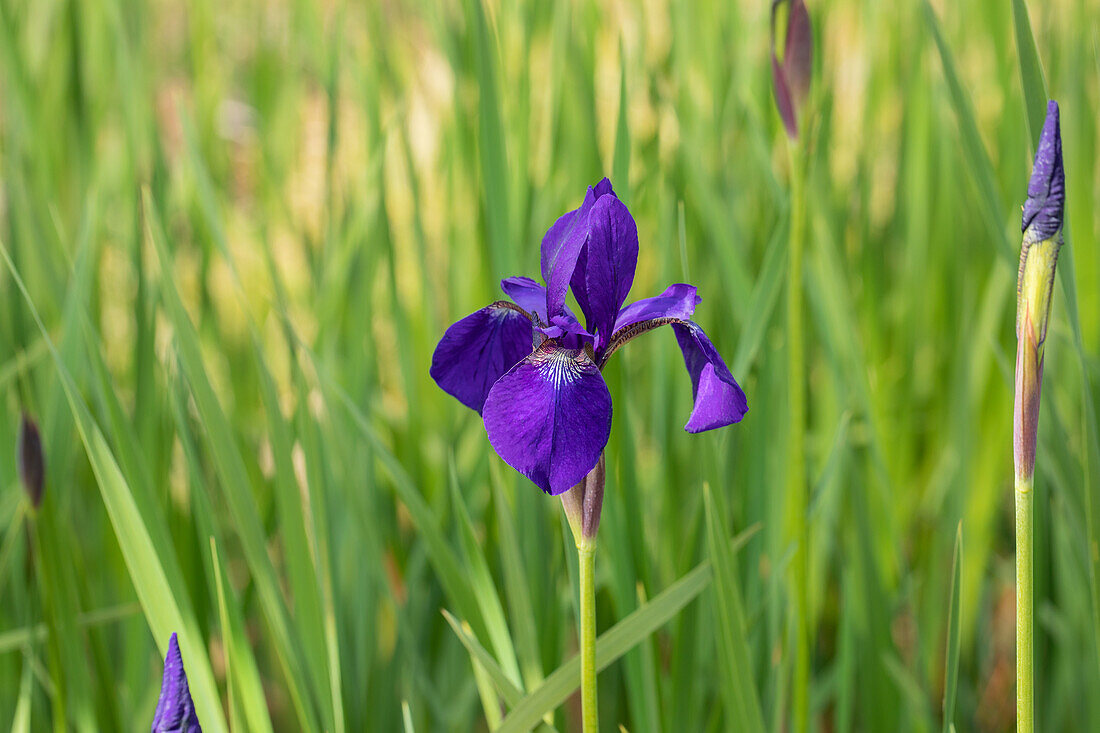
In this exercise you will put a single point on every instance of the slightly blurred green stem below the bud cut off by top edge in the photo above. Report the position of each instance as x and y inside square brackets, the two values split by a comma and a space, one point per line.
[797, 477]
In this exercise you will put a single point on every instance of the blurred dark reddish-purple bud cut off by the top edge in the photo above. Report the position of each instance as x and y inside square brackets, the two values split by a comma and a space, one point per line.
[791, 74]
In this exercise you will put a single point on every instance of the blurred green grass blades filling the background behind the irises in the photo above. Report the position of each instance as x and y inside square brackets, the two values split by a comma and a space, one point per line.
[246, 226]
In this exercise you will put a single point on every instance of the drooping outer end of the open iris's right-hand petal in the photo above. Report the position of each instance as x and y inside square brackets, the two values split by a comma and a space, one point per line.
[720, 401]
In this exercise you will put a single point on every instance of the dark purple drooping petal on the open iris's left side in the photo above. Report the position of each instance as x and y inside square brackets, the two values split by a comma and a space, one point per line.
[476, 352]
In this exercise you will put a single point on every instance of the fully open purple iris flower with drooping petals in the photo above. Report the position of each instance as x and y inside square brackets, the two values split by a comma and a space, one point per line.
[533, 370]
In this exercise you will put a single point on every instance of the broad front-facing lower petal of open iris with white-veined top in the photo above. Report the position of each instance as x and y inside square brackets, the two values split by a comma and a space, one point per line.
[551, 417]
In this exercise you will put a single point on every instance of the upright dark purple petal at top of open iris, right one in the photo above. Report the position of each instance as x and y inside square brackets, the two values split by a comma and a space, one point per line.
[611, 259]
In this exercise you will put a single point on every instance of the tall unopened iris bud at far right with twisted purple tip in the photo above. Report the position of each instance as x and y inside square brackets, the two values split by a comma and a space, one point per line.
[1042, 239]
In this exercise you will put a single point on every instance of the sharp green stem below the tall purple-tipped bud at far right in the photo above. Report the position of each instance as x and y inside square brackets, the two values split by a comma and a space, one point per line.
[1026, 648]
